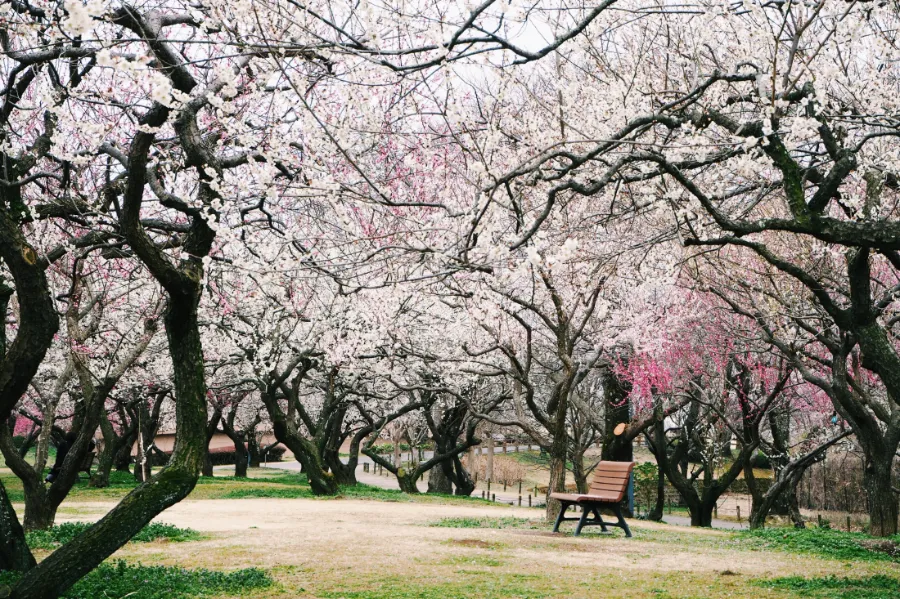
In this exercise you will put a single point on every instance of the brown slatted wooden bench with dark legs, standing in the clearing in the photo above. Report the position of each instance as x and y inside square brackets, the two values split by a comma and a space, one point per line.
[607, 491]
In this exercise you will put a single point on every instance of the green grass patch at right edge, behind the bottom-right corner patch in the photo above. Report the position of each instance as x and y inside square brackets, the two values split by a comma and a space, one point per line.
[822, 542]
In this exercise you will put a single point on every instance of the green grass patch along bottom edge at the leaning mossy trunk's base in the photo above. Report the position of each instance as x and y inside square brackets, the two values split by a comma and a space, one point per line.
[159, 582]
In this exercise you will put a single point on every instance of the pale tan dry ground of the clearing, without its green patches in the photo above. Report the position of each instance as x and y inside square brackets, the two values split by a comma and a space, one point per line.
[362, 549]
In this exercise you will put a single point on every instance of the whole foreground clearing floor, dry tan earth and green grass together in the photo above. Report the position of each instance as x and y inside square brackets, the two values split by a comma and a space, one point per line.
[266, 538]
